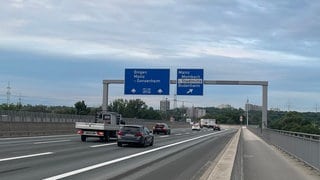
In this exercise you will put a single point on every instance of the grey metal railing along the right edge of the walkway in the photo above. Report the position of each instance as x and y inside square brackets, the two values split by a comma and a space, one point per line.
[303, 146]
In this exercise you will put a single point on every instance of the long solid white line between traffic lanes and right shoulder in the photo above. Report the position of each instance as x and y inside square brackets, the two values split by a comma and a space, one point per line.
[78, 171]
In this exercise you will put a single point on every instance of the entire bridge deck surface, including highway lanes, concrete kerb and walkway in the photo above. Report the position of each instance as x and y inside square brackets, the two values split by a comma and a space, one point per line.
[232, 153]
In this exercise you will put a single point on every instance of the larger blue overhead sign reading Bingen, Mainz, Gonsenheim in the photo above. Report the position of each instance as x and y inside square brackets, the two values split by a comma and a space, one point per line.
[147, 81]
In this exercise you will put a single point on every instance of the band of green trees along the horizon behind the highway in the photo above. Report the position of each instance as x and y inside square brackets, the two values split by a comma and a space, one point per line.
[306, 122]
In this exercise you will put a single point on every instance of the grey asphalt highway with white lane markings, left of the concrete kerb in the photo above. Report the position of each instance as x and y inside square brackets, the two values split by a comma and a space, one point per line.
[185, 154]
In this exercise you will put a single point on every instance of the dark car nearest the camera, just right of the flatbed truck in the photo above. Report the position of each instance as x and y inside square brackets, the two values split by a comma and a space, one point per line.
[135, 134]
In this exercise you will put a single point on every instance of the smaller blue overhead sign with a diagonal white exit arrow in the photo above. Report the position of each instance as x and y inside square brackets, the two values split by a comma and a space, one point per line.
[190, 82]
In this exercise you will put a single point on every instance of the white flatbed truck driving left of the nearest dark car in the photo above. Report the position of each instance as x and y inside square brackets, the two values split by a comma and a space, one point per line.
[104, 127]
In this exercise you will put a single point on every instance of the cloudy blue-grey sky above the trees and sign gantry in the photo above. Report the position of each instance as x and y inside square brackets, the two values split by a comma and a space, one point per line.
[58, 52]
